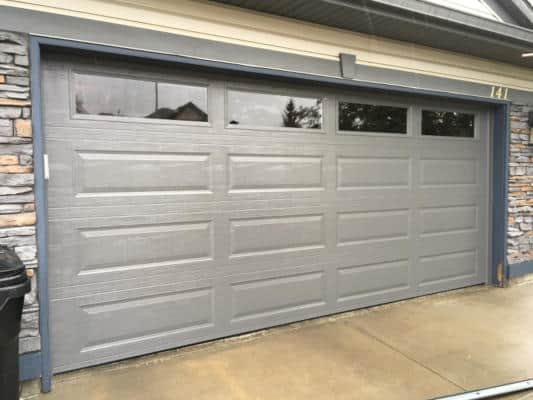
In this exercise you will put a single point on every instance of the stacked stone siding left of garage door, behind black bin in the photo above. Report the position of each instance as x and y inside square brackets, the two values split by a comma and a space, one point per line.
[17, 206]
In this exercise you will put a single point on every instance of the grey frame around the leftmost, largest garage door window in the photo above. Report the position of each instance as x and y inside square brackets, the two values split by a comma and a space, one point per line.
[156, 78]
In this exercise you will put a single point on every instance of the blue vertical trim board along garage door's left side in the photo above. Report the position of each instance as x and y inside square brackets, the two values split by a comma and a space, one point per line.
[41, 210]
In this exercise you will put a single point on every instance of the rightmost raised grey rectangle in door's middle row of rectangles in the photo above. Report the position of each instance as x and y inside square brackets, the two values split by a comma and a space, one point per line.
[448, 219]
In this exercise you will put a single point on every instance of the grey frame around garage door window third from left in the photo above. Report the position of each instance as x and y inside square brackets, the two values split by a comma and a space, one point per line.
[376, 101]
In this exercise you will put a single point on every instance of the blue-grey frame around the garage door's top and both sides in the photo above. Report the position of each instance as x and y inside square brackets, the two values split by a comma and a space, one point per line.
[498, 156]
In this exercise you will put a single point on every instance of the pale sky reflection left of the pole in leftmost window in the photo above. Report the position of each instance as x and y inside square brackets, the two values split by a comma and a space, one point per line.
[106, 95]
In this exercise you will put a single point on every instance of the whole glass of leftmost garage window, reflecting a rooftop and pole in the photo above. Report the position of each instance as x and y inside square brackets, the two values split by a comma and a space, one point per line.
[124, 97]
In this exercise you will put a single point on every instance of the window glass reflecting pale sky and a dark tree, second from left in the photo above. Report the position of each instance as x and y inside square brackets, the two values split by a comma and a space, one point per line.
[268, 110]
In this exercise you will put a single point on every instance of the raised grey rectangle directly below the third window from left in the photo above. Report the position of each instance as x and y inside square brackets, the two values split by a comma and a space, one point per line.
[355, 172]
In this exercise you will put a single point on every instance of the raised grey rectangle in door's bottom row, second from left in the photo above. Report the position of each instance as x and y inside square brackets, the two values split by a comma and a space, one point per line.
[266, 297]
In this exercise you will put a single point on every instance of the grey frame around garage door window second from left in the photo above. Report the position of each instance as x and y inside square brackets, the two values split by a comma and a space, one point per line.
[276, 91]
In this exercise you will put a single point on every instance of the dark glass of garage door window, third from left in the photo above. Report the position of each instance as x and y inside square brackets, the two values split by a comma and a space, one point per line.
[372, 118]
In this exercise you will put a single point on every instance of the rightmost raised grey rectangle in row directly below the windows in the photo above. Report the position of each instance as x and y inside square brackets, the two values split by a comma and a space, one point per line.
[447, 172]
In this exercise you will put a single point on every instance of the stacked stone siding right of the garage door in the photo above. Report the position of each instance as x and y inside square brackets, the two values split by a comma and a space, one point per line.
[520, 233]
